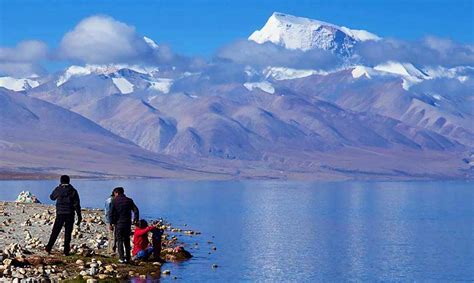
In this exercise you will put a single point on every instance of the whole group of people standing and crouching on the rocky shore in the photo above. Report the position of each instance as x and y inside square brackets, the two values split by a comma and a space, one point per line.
[118, 216]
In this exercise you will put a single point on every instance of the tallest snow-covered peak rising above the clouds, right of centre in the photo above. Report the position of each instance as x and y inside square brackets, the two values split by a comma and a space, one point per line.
[305, 34]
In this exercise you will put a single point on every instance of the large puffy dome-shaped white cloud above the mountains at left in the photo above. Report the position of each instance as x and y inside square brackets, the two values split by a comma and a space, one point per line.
[102, 39]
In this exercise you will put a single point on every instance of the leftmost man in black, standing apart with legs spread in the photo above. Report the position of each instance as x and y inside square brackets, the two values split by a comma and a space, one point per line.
[67, 202]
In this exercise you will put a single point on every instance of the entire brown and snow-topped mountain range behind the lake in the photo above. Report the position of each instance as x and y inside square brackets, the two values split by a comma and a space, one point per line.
[354, 121]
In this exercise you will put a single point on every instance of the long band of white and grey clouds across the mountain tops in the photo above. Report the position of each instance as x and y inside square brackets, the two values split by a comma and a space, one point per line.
[101, 39]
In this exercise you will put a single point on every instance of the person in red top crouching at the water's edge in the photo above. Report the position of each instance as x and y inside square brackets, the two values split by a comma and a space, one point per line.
[142, 249]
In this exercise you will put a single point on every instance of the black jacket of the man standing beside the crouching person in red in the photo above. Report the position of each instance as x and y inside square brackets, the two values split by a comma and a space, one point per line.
[122, 208]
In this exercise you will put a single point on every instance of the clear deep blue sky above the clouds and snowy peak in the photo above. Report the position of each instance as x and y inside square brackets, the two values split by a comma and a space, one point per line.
[201, 27]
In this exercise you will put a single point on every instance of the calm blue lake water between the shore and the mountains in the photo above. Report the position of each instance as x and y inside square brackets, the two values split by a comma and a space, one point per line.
[302, 231]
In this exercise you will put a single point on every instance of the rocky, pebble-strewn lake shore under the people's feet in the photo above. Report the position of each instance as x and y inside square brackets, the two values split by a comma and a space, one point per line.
[25, 228]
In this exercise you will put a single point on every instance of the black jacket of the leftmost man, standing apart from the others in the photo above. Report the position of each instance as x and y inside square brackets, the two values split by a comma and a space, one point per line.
[67, 200]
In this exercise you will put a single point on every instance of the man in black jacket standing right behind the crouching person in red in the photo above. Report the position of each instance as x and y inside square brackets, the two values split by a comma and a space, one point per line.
[121, 219]
